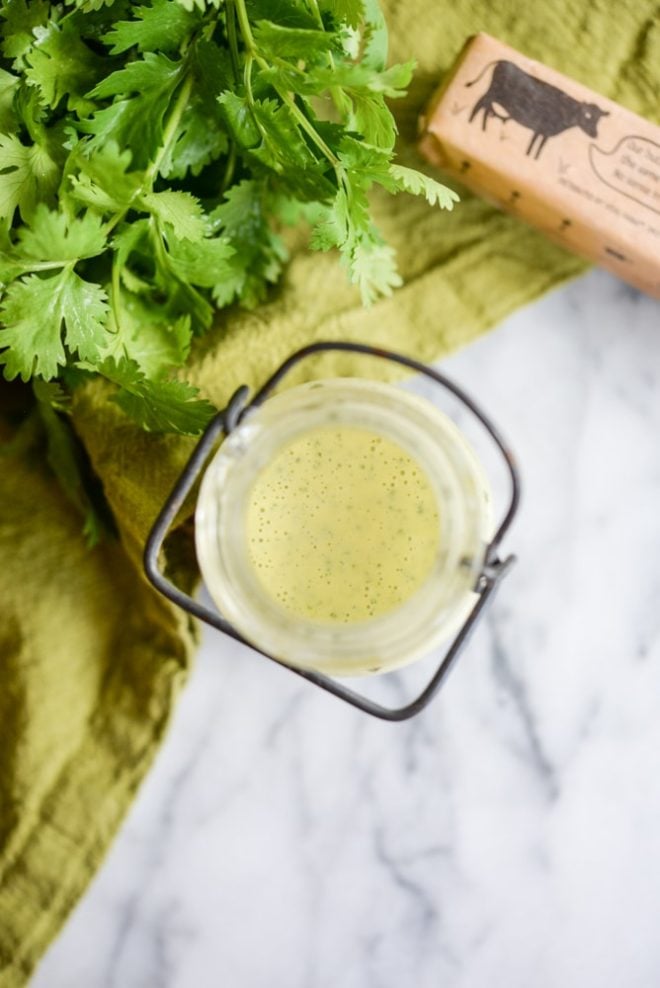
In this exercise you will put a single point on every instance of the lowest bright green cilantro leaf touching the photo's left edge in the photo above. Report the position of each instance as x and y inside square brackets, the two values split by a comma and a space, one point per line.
[34, 311]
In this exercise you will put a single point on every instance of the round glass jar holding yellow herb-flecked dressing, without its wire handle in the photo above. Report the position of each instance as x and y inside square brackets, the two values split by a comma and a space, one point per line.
[419, 445]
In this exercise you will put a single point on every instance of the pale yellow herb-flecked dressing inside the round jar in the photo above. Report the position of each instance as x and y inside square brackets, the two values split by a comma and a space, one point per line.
[342, 525]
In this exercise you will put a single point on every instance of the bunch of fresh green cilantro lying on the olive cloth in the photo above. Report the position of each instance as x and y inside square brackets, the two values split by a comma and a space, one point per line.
[149, 153]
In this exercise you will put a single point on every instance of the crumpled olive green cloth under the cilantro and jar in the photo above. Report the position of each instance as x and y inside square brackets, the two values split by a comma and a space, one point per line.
[91, 659]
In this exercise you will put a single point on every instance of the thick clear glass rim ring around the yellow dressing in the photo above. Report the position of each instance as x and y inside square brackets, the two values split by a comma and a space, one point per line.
[384, 641]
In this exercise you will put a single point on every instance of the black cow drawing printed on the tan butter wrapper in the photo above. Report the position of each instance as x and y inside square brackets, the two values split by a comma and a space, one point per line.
[544, 109]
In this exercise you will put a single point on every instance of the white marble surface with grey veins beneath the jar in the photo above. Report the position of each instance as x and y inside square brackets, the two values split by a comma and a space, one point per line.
[509, 836]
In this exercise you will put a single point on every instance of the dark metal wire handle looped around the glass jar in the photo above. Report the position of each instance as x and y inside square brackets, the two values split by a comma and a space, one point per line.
[226, 421]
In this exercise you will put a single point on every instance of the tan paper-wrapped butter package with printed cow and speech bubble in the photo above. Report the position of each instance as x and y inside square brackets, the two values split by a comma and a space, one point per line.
[581, 168]
